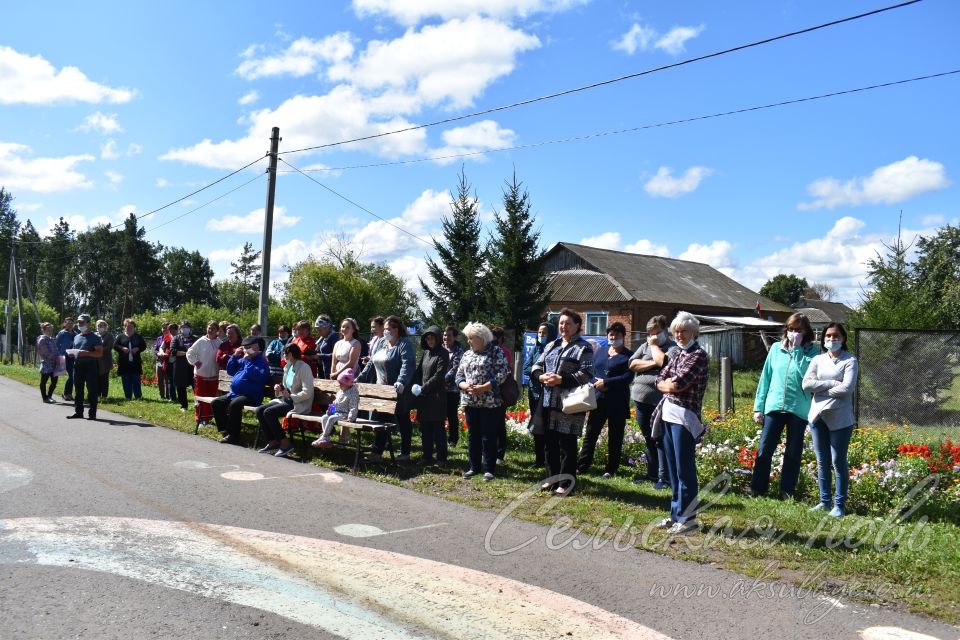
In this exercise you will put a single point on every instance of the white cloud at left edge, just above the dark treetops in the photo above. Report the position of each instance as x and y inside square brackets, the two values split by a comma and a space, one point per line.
[43, 175]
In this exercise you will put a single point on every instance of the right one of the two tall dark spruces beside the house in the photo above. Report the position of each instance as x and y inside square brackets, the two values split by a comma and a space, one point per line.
[518, 285]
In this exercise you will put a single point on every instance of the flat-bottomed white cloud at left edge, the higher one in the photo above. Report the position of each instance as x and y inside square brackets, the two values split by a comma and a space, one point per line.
[33, 80]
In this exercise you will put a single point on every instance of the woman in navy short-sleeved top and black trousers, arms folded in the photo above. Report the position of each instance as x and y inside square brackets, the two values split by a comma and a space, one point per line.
[611, 371]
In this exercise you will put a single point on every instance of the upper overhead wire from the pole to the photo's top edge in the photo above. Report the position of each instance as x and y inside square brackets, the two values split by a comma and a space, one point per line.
[602, 83]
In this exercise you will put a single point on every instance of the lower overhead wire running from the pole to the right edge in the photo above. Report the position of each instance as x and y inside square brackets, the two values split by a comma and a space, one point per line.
[668, 123]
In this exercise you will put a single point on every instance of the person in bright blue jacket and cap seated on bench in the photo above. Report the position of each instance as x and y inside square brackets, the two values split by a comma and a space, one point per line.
[251, 373]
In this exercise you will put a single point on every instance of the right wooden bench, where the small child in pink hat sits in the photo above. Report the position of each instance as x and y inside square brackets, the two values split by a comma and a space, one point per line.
[380, 398]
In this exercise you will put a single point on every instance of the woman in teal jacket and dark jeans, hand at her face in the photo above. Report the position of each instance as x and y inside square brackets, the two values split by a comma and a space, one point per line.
[782, 402]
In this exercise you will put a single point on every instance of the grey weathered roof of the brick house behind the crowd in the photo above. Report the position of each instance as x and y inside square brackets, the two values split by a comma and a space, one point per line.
[656, 279]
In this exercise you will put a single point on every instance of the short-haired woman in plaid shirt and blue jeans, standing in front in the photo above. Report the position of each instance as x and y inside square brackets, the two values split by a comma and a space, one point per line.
[682, 382]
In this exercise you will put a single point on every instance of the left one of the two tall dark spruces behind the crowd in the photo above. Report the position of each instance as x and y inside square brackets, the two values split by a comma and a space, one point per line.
[457, 294]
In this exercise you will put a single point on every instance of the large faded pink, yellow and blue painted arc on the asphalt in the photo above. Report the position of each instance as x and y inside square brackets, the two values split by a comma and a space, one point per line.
[347, 590]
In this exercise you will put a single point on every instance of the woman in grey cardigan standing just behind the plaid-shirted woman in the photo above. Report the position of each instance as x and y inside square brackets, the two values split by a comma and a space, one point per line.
[646, 363]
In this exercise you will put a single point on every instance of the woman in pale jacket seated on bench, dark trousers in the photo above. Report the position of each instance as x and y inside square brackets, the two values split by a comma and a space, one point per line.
[295, 394]
